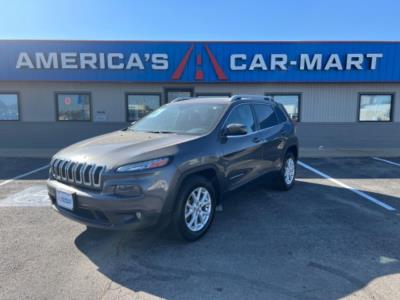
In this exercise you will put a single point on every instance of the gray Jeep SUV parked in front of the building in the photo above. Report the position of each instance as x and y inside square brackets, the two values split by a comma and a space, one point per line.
[175, 164]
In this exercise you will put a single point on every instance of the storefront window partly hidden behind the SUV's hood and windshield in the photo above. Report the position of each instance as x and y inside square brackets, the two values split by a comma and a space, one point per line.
[141, 105]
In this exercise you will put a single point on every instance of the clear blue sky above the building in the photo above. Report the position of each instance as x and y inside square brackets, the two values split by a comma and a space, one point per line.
[200, 20]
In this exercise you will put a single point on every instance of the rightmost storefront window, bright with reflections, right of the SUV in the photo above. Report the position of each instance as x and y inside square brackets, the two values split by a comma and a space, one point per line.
[375, 108]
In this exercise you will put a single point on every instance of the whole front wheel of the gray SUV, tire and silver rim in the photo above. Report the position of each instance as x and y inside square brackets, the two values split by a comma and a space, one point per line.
[196, 198]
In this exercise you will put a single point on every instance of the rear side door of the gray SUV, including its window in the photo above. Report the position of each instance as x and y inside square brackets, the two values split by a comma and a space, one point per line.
[271, 136]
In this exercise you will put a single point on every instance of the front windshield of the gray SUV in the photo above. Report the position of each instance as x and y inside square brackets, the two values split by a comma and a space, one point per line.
[184, 118]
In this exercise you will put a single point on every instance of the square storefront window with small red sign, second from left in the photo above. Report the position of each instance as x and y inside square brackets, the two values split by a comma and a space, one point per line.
[73, 107]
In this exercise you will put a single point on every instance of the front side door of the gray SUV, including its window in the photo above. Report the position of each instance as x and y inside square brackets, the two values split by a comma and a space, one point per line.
[241, 154]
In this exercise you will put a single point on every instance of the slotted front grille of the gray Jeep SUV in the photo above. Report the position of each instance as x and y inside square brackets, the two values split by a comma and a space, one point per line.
[74, 173]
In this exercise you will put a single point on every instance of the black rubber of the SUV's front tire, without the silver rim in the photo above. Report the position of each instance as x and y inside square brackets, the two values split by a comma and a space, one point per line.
[179, 222]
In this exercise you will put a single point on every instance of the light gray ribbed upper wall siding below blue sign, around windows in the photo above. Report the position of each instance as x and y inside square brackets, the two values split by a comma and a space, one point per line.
[320, 102]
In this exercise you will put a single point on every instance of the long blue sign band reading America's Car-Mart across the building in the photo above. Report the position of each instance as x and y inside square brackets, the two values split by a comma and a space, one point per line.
[200, 61]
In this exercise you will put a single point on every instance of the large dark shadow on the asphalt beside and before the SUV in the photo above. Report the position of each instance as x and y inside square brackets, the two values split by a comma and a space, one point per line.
[313, 242]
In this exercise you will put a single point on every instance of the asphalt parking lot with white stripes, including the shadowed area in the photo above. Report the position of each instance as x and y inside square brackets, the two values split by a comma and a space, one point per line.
[335, 234]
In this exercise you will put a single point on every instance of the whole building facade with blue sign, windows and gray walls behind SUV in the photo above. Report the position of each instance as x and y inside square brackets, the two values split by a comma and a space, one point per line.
[54, 93]
